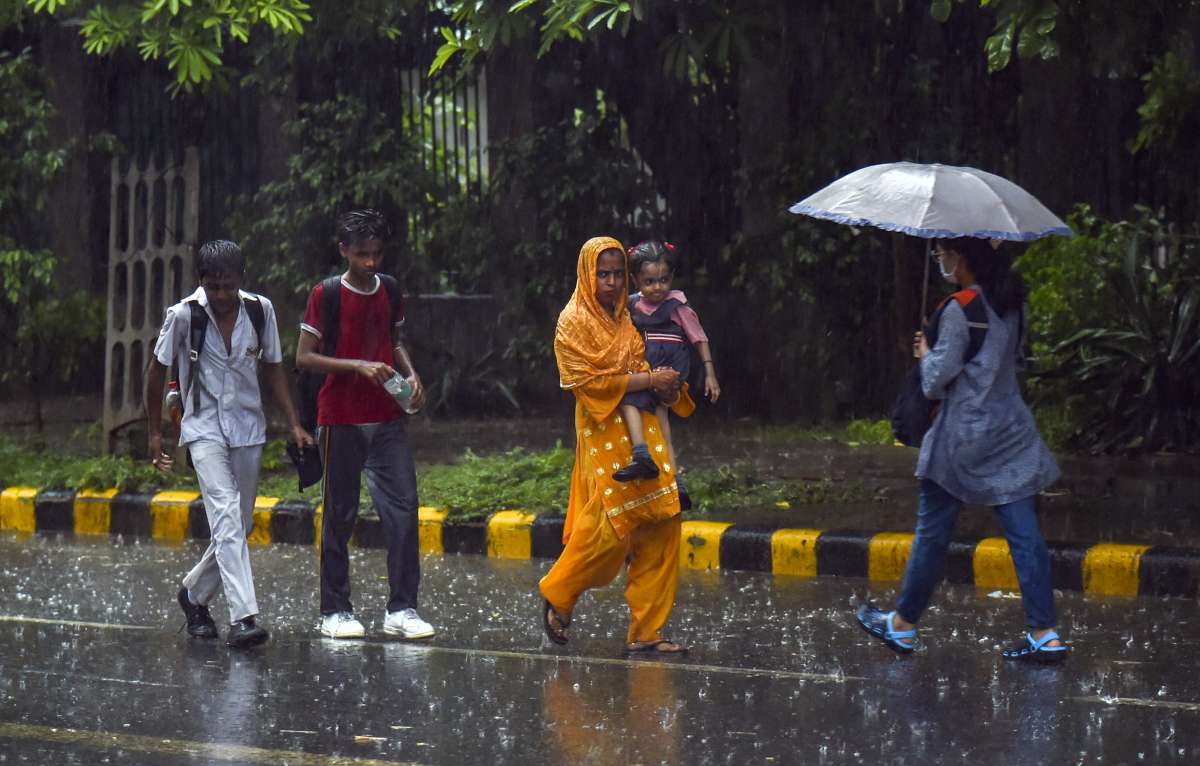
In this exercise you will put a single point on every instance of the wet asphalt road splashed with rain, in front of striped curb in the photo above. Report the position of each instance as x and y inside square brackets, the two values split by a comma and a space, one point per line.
[93, 672]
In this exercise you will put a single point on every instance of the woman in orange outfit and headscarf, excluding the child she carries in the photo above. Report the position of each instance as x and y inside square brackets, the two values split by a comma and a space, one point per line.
[602, 357]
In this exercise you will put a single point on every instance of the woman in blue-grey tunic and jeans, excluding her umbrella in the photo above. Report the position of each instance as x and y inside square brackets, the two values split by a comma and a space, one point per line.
[982, 448]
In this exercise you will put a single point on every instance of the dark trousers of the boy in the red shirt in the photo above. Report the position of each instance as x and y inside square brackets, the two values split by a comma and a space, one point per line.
[380, 452]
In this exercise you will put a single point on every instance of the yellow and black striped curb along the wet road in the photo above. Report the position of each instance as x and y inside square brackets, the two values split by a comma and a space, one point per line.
[1105, 568]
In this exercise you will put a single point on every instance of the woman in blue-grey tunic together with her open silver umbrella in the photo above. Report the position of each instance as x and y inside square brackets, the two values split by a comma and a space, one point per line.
[982, 447]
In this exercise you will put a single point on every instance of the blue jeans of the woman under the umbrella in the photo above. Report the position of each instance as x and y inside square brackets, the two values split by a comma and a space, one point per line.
[935, 524]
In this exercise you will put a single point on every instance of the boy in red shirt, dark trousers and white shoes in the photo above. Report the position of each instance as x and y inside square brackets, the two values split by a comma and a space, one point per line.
[362, 428]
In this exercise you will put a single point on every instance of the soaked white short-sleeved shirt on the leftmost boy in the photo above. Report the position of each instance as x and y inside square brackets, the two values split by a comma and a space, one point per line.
[231, 403]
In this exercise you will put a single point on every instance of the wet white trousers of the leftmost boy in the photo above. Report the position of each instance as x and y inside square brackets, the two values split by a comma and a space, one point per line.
[229, 478]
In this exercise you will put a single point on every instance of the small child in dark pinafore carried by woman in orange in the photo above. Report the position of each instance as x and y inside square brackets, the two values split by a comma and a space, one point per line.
[668, 325]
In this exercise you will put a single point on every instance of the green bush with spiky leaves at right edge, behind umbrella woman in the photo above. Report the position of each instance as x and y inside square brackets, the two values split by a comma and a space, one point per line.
[1117, 333]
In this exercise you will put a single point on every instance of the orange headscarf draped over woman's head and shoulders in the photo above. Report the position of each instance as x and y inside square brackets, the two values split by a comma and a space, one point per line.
[589, 342]
